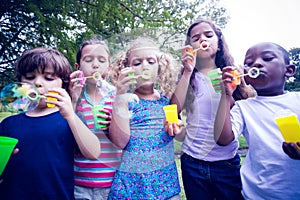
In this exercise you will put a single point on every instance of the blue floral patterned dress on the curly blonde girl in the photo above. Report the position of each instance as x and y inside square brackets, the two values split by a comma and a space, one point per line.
[148, 169]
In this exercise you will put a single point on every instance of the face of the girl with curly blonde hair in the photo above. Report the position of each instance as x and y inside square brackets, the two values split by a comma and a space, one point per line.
[144, 62]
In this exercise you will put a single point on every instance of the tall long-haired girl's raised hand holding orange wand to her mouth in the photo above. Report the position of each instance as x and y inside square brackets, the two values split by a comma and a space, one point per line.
[188, 58]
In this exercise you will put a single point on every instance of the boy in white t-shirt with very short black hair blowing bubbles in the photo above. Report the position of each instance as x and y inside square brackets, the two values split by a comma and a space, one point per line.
[267, 172]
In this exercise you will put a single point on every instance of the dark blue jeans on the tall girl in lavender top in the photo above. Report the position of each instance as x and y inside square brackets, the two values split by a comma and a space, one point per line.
[211, 180]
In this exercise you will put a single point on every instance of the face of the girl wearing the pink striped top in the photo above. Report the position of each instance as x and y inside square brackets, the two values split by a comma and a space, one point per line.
[94, 58]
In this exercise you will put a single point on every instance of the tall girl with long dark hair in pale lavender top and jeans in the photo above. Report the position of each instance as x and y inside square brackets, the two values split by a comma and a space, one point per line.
[209, 171]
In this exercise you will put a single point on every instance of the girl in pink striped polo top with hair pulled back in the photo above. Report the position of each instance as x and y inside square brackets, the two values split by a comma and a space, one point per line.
[94, 178]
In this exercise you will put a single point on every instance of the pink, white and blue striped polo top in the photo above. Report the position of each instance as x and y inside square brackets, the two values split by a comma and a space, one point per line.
[100, 172]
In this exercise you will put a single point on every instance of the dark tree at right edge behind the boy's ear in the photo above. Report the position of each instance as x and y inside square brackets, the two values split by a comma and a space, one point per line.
[293, 84]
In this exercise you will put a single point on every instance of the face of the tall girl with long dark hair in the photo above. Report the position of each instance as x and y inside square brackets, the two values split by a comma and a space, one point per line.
[204, 32]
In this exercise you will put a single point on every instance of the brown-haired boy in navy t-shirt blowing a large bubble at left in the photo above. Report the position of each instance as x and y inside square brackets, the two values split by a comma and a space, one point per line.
[48, 136]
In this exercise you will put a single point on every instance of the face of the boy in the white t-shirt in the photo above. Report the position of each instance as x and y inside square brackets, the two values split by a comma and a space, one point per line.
[270, 61]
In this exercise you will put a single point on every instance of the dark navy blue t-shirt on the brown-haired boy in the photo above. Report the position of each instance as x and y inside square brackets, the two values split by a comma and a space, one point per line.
[43, 168]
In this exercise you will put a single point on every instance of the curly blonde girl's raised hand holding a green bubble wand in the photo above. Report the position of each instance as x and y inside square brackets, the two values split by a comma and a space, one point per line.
[124, 80]
